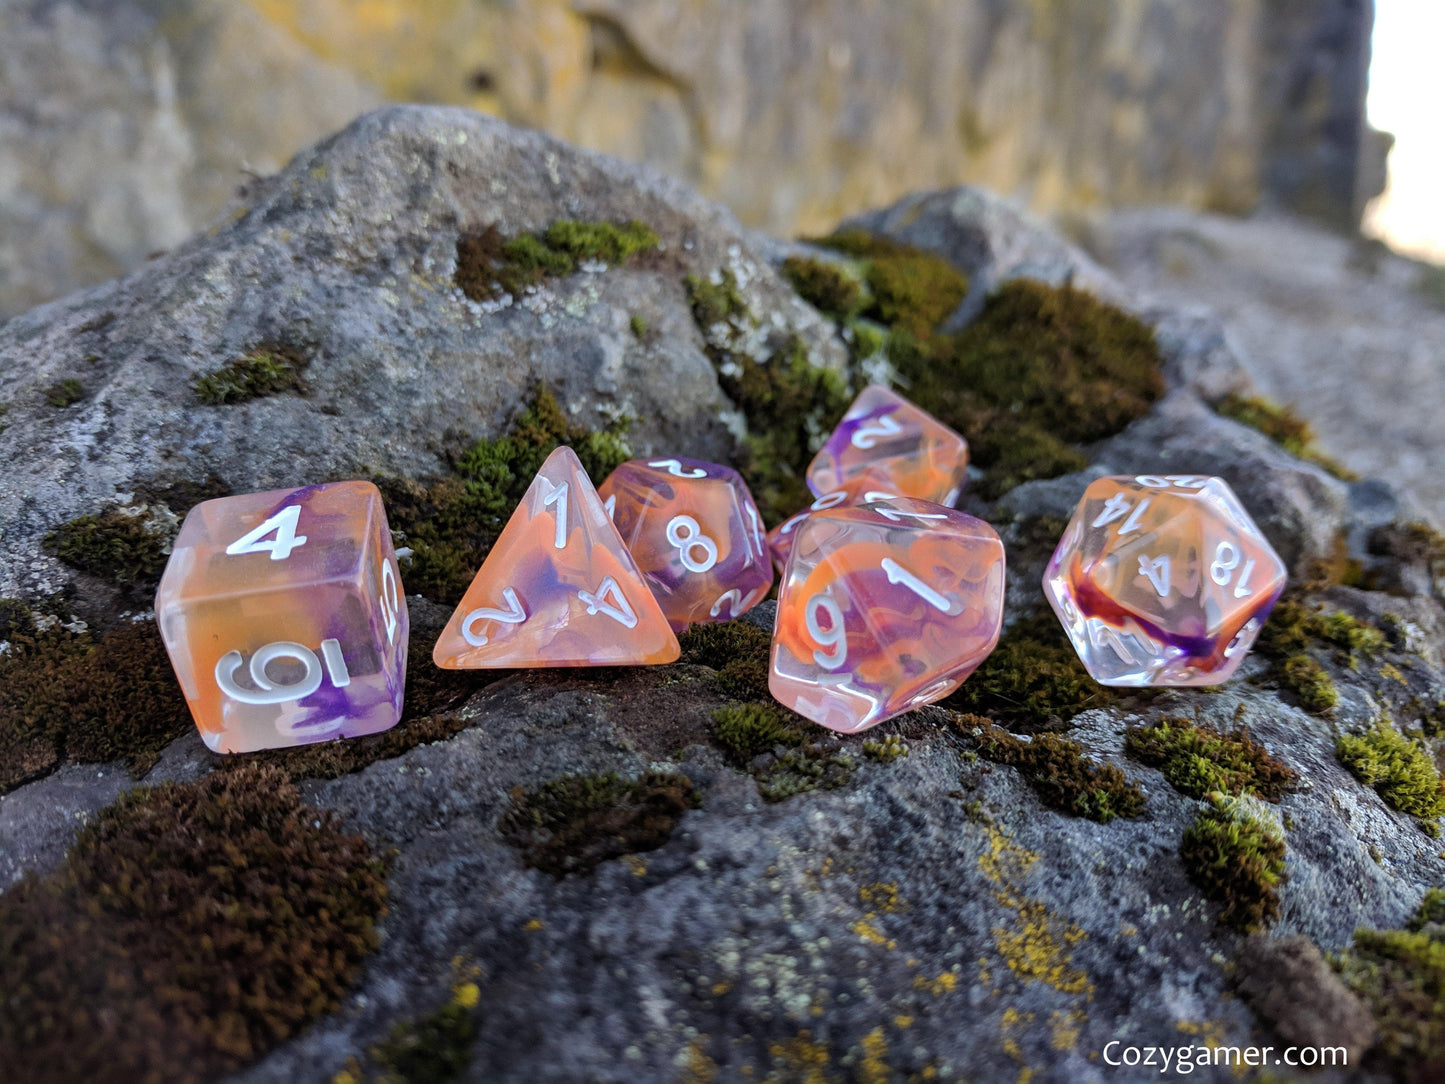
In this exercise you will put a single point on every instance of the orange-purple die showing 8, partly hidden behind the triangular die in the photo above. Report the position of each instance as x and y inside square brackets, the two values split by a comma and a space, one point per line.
[696, 534]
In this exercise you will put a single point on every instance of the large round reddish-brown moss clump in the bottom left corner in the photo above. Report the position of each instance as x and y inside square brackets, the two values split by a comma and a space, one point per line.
[191, 929]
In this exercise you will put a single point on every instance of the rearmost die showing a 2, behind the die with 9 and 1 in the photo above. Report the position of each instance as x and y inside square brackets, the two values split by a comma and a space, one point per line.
[885, 443]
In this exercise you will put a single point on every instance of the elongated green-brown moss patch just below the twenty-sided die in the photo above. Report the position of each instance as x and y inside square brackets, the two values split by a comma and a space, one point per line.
[1199, 760]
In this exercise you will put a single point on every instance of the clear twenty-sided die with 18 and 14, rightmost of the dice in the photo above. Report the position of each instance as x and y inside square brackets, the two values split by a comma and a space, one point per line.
[1163, 580]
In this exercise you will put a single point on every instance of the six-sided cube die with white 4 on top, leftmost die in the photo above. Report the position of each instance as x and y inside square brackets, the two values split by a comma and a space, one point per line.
[285, 619]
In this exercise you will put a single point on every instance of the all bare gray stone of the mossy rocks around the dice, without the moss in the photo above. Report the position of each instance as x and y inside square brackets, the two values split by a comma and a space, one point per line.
[930, 916]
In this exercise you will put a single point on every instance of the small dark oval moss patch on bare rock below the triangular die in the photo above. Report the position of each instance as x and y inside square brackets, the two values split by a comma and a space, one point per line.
[579, 822]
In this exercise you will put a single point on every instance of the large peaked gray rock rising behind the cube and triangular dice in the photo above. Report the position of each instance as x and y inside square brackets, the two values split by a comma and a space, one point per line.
[348, 258]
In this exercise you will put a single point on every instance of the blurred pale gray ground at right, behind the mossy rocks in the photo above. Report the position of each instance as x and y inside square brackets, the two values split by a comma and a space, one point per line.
[1342, 330]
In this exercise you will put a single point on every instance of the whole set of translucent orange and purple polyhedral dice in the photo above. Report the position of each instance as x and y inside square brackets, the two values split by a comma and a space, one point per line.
[285, 619]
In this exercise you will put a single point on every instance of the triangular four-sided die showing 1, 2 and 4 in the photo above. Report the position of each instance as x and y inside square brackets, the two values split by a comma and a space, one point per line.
[558, 588]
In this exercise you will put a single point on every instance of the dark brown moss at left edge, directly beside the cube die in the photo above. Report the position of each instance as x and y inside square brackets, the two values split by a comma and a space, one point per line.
[87, 699]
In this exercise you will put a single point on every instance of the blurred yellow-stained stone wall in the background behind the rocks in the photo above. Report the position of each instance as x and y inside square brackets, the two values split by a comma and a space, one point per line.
[128, 124]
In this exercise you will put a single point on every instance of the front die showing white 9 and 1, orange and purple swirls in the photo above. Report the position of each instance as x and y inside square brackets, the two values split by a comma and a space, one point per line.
[885, 608]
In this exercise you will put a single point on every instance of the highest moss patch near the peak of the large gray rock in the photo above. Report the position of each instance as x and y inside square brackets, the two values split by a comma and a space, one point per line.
[491, 265]
